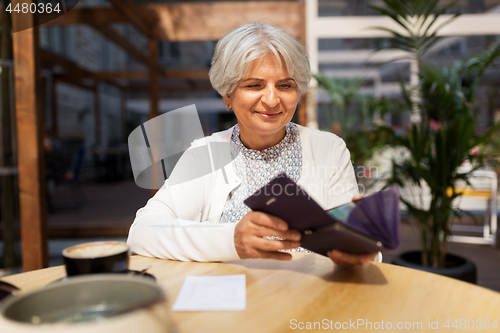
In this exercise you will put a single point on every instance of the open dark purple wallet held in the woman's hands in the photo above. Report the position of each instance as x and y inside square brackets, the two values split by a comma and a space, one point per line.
[366, 226]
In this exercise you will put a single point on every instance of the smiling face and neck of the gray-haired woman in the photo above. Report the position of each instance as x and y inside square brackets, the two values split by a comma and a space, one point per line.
[264, 103]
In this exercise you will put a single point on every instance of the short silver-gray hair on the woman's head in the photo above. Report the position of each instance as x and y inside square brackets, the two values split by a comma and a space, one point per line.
[236, 50]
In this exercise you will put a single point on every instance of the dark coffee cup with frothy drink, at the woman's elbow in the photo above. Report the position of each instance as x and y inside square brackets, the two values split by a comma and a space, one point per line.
[96, 257]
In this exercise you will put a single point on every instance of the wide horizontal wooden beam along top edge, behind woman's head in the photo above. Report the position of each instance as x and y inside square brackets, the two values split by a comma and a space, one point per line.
[191, 20]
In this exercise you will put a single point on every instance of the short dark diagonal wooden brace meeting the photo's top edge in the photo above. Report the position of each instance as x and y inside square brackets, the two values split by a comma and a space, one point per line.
[143, 19]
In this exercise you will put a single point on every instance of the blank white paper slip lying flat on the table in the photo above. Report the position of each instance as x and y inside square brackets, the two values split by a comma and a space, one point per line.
[212, 293]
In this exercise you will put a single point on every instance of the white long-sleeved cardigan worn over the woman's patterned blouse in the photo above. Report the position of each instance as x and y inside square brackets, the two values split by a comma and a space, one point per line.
[181, 221]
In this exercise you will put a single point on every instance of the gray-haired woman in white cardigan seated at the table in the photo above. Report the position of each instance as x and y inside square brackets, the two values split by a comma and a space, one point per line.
[261, 71]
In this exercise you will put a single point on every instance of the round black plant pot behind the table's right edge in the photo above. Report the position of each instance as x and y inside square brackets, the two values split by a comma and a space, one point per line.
[456, 267]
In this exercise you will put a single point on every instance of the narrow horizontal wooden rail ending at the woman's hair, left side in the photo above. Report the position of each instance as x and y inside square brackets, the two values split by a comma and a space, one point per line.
[188, 74]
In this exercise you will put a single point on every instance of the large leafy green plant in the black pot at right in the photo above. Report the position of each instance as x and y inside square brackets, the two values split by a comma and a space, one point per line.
[445, 134]
